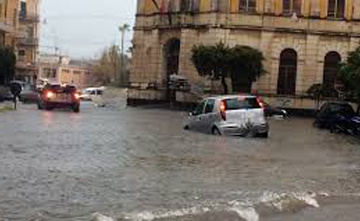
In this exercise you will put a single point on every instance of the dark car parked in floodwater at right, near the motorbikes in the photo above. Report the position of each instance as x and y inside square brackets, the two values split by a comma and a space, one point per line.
[332, 112]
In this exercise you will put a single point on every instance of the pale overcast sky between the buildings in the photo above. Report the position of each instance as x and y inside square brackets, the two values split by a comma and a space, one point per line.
[83, 28]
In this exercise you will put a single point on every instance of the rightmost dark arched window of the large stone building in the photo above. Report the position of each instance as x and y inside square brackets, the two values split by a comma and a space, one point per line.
[331, 69]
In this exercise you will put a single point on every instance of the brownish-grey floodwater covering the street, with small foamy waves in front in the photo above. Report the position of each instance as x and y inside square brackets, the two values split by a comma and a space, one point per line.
[138, 164]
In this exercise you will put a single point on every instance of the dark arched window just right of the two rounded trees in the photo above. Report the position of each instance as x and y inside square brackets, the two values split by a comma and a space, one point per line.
[287, 72]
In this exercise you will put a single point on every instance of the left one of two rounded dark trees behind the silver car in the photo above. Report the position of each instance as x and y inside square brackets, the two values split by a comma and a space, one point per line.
[212, 61]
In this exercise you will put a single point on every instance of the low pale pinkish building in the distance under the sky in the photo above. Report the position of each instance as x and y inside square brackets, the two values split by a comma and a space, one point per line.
[61, 69]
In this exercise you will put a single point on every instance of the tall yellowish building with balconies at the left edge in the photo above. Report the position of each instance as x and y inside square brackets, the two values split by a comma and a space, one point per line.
[19, 29]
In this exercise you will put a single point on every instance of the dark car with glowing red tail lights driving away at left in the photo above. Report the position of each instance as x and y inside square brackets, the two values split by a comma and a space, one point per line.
[55, 95]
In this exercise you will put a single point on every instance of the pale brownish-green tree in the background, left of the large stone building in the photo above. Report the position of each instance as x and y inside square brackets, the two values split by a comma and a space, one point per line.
[106, 69]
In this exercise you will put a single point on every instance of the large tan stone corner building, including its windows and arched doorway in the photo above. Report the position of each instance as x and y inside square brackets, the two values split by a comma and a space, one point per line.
[302, 41]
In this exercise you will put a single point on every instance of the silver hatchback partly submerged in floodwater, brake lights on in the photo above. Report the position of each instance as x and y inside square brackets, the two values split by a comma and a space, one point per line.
[229, 115]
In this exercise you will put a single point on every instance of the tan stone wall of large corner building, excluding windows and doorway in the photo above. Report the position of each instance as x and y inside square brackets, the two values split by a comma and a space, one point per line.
[310, 35]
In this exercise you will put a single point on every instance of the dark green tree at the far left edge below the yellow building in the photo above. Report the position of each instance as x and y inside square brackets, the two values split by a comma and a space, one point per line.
[7, 65]
